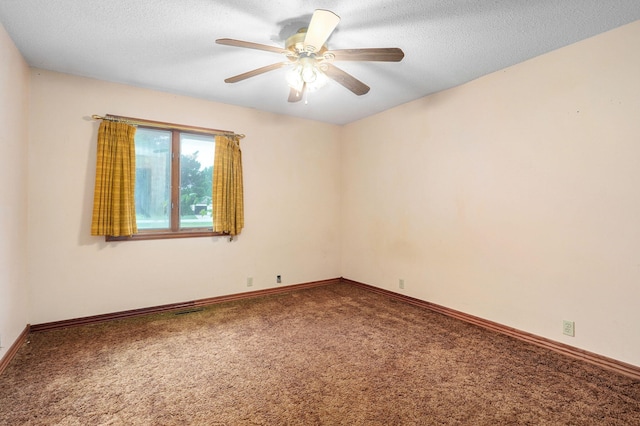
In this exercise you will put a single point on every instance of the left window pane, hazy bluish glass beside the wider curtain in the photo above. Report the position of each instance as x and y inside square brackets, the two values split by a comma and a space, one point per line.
[153, 178]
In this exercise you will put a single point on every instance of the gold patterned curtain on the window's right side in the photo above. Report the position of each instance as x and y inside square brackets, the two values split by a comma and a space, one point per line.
[228, 201]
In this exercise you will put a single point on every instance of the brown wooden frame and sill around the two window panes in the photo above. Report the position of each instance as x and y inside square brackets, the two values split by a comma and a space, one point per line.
[174, 231]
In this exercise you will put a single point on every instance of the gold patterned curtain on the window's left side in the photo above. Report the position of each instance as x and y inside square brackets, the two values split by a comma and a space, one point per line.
[114, 207]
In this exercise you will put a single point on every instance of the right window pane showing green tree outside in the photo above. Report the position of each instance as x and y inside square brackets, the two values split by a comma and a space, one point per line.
[196, 174]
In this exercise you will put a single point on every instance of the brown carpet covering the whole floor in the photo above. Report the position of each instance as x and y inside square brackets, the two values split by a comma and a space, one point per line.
[331, 355]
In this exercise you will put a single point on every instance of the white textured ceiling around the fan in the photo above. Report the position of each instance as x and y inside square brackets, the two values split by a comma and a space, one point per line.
[169, 44]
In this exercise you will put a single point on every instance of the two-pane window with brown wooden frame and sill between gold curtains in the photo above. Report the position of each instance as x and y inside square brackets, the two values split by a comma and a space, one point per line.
[174, 172]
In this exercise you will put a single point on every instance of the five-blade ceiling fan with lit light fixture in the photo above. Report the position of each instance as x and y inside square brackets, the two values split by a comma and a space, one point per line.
[311, 62]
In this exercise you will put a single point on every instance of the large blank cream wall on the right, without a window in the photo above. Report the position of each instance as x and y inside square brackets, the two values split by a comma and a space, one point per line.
[514, 198]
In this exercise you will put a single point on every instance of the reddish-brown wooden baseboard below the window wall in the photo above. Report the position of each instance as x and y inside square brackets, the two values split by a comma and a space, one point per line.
[177, 306]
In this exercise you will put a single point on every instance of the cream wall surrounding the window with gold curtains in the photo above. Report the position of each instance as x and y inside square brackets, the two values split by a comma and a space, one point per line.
[291, 171]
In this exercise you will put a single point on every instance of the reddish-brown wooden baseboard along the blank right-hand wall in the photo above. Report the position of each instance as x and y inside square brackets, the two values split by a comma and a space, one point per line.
[590, 357]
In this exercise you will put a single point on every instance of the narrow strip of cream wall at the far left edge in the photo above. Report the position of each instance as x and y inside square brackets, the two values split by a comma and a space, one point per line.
[14, 82]
